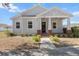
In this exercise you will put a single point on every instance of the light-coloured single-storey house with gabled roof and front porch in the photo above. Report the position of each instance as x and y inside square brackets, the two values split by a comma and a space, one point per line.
[39, 20]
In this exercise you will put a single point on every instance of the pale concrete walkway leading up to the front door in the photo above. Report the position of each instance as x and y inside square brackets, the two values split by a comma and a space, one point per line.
[46, 43]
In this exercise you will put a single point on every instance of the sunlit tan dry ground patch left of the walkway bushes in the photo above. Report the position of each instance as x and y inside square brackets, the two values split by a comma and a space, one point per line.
[10, 43]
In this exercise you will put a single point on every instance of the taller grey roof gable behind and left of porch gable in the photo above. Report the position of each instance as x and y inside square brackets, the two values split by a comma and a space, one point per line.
[34, 11]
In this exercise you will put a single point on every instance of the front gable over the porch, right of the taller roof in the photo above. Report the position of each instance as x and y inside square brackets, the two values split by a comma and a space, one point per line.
[55, 12]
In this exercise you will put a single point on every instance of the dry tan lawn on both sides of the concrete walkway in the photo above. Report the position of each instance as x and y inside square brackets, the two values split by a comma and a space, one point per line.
[9, 43]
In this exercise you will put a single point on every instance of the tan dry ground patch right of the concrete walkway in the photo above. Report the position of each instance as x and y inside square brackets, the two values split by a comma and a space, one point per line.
[64, 42]
